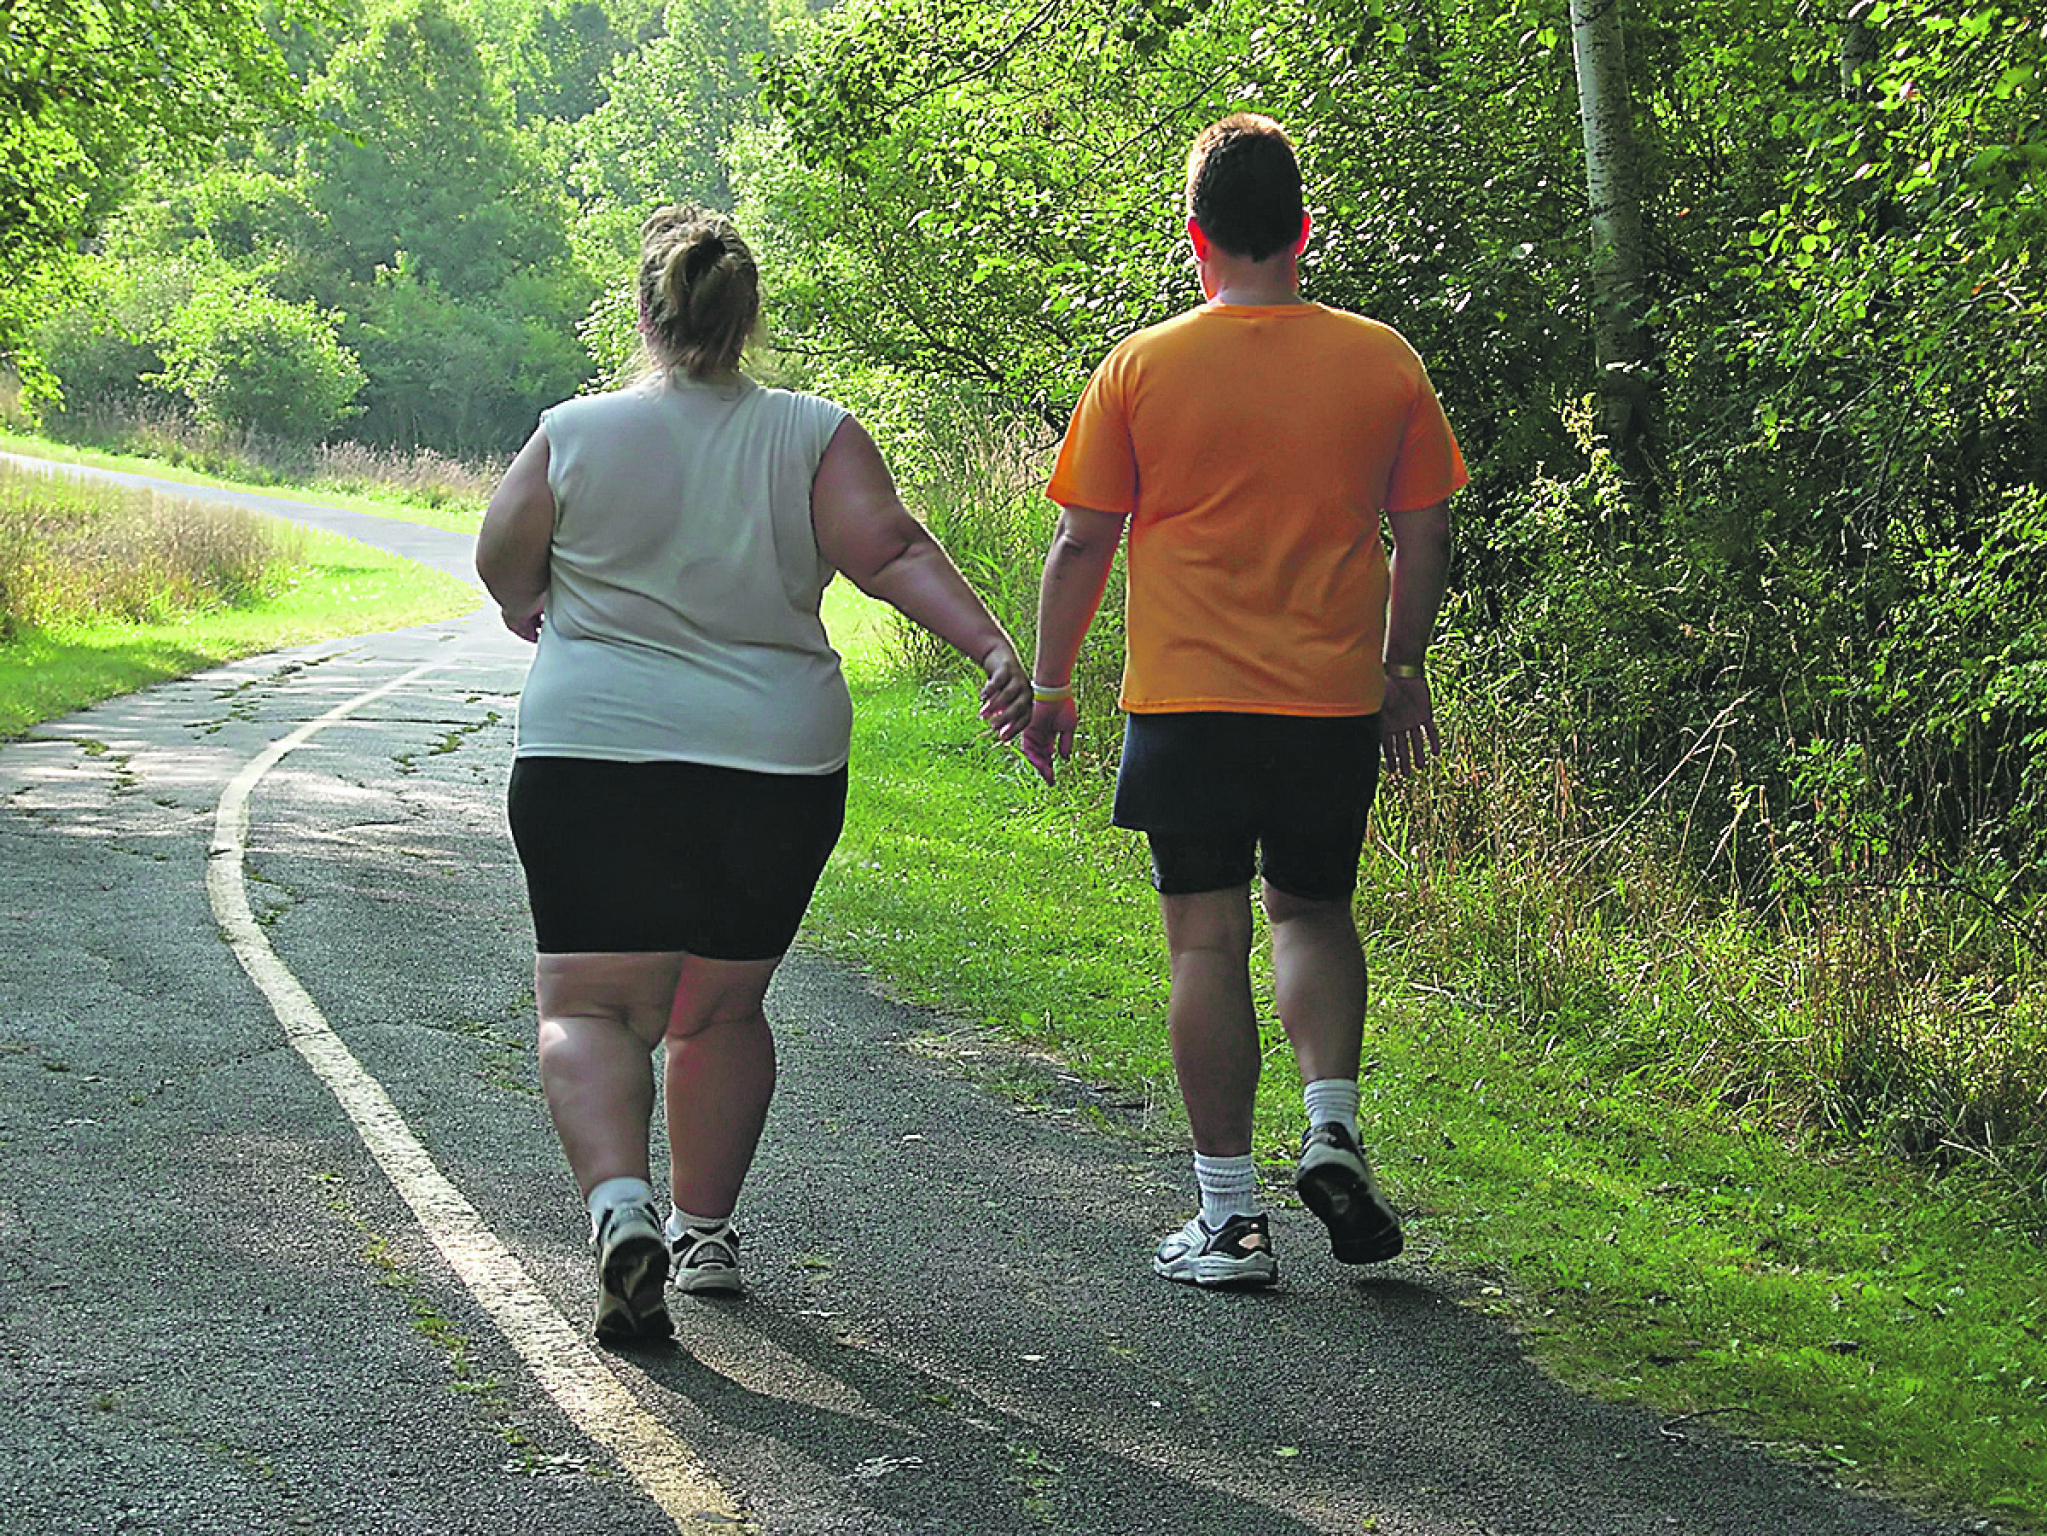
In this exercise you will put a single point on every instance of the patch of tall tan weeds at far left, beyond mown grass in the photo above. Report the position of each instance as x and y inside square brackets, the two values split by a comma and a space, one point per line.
[75, 554]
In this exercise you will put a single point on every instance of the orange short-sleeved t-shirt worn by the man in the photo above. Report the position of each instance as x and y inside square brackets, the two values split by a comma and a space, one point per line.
[1254, 452]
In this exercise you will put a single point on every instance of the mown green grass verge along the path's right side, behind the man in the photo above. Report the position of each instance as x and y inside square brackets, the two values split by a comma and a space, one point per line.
[1651, 1242]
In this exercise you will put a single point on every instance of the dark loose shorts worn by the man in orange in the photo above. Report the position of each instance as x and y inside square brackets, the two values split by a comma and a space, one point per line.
[1223, 798]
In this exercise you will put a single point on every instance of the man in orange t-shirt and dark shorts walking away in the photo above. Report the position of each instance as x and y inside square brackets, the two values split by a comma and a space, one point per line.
[1260, 450]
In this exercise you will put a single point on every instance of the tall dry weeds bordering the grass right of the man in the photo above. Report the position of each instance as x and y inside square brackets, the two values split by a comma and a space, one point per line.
[1892, 1015]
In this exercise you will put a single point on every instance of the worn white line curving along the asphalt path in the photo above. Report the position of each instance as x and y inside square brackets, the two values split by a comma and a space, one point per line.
[558, 1355]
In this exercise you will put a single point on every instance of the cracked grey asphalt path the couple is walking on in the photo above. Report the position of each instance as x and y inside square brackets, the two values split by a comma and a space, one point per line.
[251, 1287]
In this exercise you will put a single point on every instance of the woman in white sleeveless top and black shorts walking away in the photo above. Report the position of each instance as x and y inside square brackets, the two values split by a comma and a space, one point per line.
[683, 740]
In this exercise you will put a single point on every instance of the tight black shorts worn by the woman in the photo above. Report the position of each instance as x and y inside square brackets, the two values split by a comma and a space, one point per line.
[636, 857]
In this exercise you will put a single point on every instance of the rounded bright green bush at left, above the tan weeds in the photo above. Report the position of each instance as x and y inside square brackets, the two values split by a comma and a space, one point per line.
[257, 364]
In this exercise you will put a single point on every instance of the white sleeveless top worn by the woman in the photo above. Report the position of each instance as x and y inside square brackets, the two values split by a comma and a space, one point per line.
[685, 583]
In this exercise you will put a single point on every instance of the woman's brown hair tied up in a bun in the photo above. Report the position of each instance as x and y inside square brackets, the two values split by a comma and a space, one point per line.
[699, 290]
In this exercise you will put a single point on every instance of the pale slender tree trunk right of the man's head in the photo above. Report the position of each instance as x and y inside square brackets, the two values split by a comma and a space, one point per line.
[1614, 189]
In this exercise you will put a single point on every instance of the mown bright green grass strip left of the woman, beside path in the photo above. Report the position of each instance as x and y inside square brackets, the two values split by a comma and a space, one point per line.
[341, 589]
